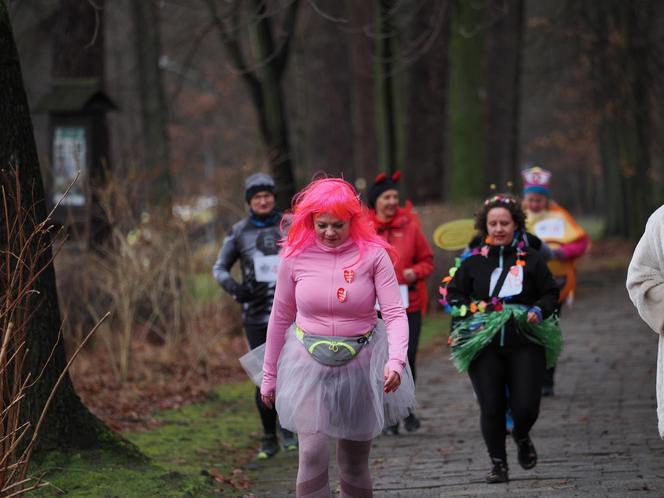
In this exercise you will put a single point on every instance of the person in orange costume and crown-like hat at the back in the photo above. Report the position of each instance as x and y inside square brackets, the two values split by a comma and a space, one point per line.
[566, 239]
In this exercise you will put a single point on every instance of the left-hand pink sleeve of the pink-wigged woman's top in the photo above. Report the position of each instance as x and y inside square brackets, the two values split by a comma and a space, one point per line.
[282, 317]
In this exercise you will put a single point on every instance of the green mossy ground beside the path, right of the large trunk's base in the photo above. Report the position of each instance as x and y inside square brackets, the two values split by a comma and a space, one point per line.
[196, 452]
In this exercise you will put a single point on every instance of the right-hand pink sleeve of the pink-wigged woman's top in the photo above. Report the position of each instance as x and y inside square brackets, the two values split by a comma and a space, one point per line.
[391, 309]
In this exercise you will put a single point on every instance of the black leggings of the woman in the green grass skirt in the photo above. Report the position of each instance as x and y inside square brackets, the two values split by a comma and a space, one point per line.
[521, 369]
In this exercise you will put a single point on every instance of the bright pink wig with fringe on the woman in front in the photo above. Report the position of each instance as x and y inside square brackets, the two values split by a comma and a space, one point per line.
[338, 198]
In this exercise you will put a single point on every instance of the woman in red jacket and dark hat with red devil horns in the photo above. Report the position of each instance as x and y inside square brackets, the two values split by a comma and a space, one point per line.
[401, 227]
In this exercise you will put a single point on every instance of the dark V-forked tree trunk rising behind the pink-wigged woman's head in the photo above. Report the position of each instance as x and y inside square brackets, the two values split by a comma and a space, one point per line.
[242, 23]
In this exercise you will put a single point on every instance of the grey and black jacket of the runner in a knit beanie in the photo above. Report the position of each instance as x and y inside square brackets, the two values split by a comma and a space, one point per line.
[247, 240]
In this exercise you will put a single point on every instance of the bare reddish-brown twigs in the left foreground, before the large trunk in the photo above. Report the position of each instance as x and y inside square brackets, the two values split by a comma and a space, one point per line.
[25, 254]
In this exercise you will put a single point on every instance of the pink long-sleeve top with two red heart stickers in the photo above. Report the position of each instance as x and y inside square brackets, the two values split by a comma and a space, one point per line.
[307, 293]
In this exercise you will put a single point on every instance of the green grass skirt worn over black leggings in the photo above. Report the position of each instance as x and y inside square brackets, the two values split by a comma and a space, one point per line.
[471, 335]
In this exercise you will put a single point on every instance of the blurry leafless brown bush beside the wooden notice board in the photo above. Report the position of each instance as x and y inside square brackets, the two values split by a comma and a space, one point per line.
[139, 273]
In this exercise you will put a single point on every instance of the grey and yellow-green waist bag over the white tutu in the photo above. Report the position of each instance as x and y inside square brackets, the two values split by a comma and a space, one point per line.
[332, 351]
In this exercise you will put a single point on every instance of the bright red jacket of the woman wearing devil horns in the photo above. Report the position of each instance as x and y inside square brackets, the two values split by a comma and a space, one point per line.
[404, 232]
